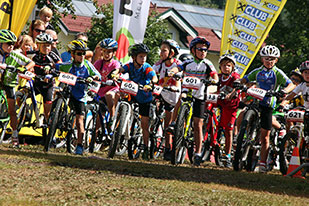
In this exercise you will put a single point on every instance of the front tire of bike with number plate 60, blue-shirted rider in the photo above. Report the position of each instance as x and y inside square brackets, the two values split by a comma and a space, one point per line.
[120, 121]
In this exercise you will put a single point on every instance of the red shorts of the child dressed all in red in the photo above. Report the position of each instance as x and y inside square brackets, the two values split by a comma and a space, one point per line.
[228, 117]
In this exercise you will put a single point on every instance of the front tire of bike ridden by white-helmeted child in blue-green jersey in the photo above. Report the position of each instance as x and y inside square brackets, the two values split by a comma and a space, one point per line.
[241, 149]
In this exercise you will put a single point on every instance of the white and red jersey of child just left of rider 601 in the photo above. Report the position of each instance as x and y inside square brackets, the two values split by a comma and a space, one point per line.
[162, 70]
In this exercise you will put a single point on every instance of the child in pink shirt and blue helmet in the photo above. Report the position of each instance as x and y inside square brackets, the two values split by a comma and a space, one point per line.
[105, 66]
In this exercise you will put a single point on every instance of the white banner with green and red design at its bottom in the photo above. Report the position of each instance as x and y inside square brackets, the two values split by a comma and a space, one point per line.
[130, 20]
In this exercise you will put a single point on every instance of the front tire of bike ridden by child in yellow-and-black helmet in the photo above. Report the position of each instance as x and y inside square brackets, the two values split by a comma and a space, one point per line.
[54, 118]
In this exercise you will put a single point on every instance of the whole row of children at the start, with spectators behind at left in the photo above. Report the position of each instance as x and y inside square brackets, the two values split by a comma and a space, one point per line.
[267, 77]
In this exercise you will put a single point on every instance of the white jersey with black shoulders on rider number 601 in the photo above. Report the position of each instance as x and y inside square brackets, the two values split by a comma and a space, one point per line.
[200, 69]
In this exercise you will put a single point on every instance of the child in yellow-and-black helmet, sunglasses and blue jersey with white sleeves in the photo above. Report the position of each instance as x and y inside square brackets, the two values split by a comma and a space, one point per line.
[80, 68]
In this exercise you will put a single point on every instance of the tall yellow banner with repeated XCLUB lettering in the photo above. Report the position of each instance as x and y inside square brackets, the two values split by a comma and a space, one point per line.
[246, 24]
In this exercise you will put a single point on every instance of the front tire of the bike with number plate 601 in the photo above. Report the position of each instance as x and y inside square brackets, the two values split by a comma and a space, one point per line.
[178, 139]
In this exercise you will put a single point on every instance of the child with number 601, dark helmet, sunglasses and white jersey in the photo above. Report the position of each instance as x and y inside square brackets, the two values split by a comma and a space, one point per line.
[201, 68]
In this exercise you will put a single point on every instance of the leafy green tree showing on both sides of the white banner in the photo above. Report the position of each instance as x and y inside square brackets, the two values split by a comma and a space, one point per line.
[156, 30]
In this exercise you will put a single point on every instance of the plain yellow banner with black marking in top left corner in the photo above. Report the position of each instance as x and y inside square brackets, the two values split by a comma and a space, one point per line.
[16, 20]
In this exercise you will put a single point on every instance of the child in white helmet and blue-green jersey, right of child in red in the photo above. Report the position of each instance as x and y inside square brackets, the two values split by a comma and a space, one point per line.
[268, 77]
